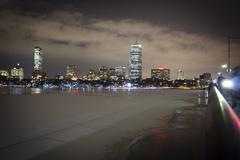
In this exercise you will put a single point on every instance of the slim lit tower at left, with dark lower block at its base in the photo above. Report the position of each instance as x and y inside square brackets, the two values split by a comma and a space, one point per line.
[38, 75]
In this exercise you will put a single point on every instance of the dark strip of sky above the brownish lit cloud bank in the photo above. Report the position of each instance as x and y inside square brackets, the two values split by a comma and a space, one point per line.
[219, 18]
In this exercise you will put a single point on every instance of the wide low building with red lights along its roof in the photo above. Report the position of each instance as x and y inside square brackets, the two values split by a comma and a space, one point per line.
[160, 73]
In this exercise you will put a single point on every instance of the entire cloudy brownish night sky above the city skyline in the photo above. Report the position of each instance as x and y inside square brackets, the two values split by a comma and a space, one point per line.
[179, 34]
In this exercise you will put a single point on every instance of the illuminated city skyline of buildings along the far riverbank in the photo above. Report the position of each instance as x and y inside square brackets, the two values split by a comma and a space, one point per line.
[71, 72]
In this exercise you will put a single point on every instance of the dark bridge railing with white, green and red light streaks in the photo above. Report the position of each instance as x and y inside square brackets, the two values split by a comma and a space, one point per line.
[223, 128]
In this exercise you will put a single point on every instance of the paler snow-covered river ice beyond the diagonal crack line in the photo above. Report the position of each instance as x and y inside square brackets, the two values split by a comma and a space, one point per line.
[33, 124]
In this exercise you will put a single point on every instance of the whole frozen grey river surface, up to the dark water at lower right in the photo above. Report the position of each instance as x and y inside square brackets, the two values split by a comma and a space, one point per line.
[80, 124]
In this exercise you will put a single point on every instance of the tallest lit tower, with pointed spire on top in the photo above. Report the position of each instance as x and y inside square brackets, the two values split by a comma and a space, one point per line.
[135, 62]
